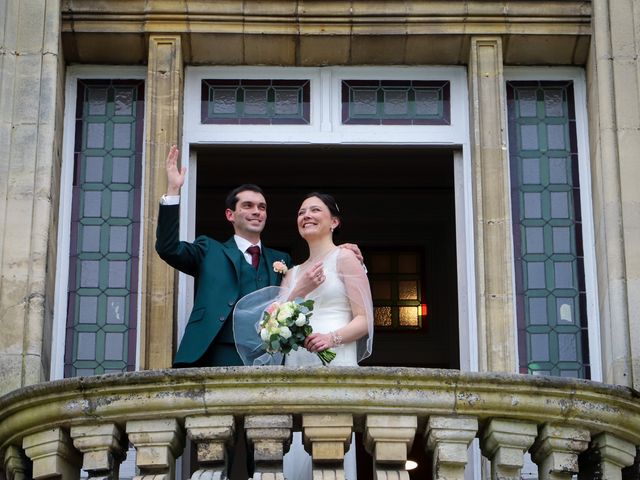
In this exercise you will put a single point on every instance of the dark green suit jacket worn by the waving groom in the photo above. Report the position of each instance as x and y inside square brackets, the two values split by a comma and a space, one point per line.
[216, 267]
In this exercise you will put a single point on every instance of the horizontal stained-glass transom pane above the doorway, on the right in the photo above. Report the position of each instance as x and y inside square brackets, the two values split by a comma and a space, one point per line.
[395, 102]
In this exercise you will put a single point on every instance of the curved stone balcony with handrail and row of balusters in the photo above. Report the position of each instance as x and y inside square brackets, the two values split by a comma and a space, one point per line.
[55, 429]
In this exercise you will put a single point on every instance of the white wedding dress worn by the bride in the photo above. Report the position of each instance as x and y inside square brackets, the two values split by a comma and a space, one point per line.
[331, 311]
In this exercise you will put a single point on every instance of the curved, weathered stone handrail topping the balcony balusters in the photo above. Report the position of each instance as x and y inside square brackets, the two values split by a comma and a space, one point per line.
[268, 390]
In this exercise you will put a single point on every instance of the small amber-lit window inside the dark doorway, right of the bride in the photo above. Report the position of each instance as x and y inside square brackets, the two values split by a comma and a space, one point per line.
[396, 288]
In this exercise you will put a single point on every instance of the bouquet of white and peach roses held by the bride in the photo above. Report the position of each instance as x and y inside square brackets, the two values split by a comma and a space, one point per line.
[284, 326]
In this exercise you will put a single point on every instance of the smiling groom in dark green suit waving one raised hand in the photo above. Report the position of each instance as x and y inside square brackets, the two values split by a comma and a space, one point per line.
[225, 272]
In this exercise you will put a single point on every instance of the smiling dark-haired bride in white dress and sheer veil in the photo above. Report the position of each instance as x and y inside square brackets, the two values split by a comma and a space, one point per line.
[342, 317]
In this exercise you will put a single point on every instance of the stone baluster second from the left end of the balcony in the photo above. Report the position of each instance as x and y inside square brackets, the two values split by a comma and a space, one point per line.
[52, 454]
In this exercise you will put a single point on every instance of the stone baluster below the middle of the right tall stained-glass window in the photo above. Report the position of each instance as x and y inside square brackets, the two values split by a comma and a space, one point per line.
[556, 451]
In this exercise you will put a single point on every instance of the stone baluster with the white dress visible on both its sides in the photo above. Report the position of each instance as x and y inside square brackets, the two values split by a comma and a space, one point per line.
[327, 437]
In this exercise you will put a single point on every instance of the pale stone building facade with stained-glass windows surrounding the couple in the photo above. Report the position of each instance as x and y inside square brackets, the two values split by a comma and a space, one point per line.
[483, 153]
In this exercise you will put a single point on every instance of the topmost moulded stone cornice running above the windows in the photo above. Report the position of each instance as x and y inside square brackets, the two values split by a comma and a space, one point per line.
[402, 17]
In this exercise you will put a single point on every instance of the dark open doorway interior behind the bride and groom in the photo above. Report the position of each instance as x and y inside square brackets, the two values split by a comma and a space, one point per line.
[395, 200]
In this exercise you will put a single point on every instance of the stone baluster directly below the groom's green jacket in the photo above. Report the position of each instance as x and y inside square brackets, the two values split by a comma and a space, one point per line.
[213, 436]
